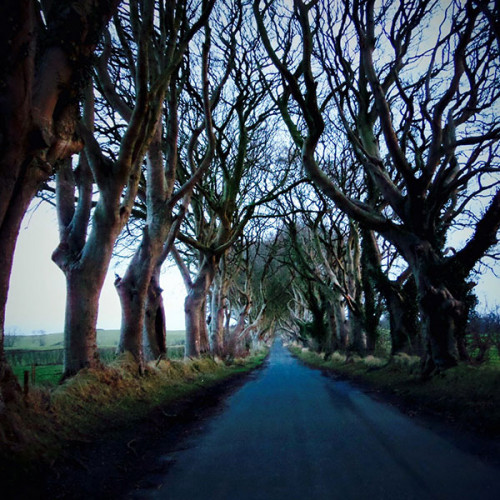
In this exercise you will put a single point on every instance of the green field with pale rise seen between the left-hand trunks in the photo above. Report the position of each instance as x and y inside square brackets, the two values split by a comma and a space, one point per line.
[42, 355]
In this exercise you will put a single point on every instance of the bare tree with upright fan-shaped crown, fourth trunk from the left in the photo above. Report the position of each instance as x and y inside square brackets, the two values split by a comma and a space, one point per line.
[240, 180]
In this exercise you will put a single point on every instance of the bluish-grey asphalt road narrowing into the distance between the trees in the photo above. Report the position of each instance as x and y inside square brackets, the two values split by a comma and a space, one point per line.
[292, 433]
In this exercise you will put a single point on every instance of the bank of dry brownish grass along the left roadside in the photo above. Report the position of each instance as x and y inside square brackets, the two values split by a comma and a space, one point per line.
[35, 433]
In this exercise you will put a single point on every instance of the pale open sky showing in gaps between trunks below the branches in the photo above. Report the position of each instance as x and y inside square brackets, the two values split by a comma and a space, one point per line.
[37, 288]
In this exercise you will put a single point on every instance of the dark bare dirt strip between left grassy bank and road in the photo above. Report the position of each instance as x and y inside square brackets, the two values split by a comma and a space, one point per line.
[106, 466]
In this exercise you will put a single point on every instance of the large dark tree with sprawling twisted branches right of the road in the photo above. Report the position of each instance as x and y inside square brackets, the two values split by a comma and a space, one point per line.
[420, 118]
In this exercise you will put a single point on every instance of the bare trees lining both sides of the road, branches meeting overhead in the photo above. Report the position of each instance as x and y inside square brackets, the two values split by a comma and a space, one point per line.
[308, 166]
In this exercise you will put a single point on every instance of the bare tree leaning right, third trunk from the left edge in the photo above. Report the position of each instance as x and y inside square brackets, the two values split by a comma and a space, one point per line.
[139, 290]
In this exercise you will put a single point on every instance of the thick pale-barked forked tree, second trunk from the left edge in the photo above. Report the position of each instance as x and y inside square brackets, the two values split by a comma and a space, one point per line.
[85, 259]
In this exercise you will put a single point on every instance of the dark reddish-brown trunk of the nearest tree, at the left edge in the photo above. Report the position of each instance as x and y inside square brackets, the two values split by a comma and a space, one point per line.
[45, 52]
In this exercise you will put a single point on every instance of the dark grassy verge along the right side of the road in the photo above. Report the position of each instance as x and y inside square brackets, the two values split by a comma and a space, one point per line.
[468, 396]
